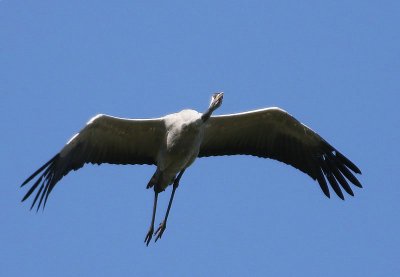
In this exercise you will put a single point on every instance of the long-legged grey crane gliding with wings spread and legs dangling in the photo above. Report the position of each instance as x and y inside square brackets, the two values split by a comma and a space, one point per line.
[173, 143]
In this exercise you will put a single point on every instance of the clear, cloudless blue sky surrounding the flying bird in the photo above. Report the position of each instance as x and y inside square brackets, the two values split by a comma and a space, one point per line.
[334, 65]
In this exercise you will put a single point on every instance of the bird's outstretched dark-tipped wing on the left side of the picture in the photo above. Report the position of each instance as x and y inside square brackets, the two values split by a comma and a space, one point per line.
[105, 139]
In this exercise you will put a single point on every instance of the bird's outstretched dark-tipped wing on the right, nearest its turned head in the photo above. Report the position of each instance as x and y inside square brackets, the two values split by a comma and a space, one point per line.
[273, 133]
